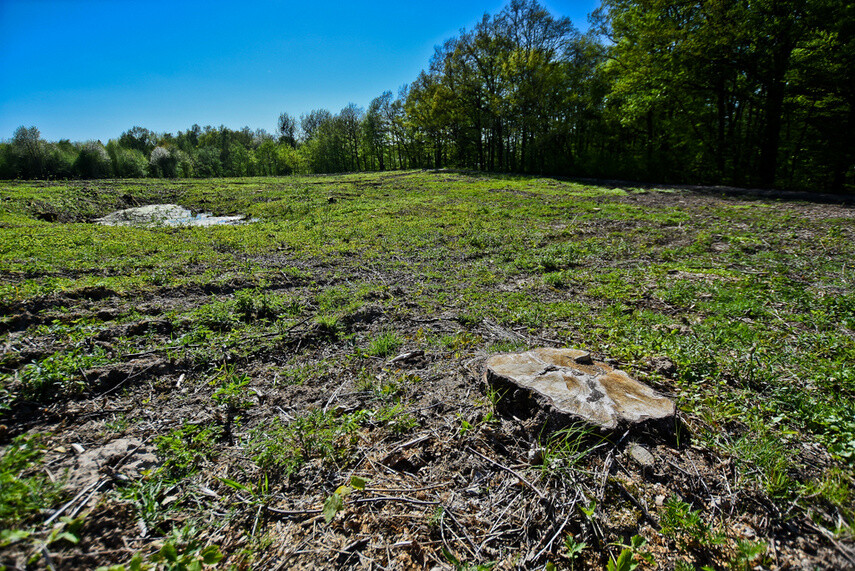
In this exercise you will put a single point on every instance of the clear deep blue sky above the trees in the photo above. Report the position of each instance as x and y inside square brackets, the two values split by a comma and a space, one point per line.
[91, 69]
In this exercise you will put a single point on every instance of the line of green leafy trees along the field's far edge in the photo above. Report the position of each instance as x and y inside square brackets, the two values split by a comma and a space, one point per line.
[742, 92]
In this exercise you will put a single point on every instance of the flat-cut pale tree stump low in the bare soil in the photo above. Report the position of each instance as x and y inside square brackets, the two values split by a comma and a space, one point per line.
[569, 386]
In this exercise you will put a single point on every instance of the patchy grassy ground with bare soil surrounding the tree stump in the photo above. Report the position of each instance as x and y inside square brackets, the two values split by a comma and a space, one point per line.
[227, 395]
